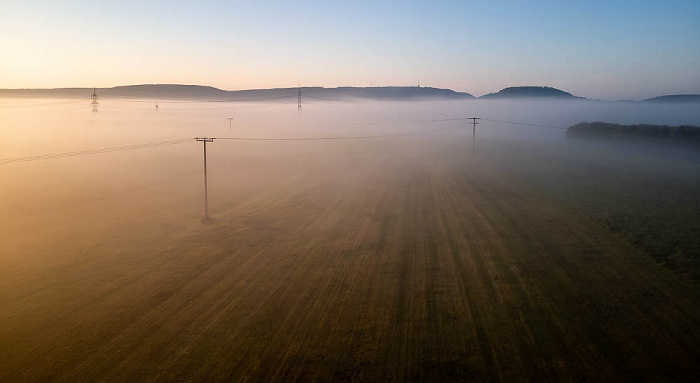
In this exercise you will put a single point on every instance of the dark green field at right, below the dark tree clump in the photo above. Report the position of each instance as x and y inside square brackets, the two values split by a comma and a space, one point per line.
[648, 194]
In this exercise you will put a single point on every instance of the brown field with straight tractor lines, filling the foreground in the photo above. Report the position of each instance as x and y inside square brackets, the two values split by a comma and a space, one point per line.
[413, 260]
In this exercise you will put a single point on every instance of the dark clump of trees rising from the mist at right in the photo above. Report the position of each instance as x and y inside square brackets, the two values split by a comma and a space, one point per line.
[603, 130]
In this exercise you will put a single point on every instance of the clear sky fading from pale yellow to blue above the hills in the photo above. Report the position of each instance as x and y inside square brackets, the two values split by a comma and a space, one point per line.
[597, 49]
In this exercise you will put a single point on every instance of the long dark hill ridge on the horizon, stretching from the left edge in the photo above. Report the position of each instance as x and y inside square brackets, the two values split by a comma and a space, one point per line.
[198, 92]
